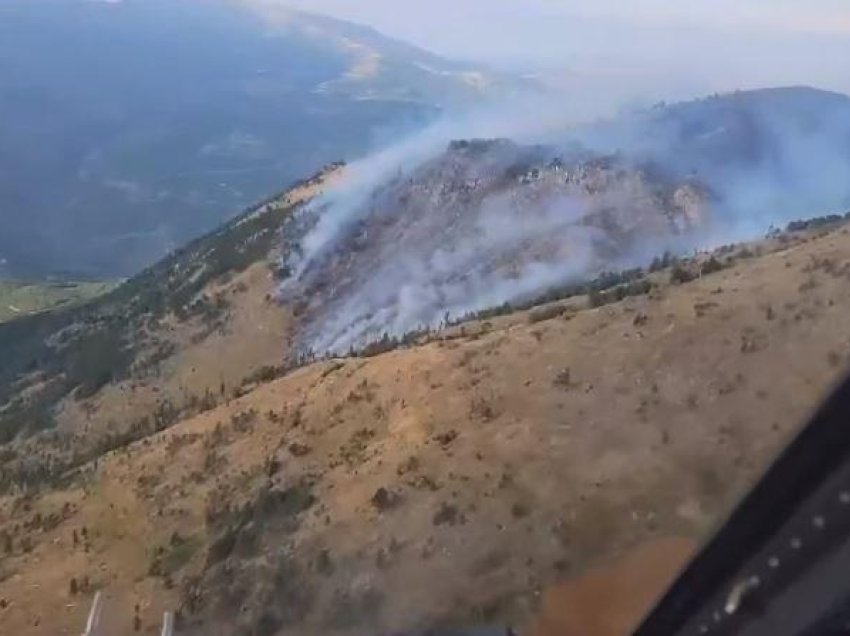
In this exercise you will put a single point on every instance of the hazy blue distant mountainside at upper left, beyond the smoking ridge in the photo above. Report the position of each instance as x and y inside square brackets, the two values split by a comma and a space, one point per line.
[130, 127]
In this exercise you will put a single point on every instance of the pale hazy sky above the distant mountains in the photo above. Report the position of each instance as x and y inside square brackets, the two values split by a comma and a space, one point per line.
[711, 44]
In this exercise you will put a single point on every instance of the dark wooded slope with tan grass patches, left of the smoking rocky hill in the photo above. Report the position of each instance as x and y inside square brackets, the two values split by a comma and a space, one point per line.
[181, 337]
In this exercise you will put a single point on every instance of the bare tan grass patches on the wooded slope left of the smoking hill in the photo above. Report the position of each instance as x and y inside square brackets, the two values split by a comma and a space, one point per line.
[190, 362]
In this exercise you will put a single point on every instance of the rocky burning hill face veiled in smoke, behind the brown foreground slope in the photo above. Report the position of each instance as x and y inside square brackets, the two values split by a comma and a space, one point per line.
[481, 224]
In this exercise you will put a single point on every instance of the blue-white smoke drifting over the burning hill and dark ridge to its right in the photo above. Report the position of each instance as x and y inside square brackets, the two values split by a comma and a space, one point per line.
[420, 231]
